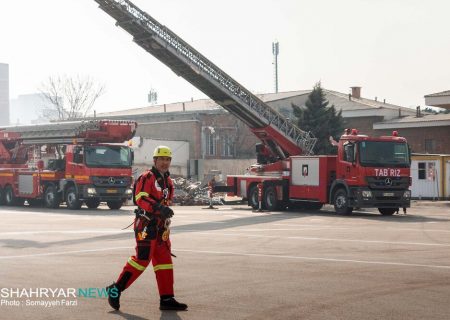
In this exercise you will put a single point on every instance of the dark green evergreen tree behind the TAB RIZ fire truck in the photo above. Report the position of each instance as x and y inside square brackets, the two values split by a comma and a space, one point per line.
[322, 121]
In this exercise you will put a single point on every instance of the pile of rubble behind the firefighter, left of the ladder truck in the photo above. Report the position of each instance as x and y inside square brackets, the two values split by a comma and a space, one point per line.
[192, 193]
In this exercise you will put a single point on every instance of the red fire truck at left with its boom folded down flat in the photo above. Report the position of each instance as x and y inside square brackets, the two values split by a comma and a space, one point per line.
[73, 162]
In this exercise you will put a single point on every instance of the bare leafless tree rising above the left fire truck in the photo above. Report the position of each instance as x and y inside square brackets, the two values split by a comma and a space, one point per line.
[71, 97]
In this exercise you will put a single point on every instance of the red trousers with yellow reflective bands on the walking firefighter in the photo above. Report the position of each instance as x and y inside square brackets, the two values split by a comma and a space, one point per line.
[153, 249]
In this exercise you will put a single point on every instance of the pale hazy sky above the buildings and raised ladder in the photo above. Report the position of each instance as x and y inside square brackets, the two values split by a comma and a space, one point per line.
[398, 50]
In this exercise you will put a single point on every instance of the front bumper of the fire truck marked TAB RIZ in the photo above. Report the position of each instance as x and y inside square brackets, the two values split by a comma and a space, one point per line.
[384, 198]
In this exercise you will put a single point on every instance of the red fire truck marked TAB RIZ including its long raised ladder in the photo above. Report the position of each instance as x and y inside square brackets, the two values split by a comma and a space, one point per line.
[367, 171]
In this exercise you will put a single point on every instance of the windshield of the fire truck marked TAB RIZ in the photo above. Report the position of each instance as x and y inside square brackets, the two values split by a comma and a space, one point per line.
[383, 154]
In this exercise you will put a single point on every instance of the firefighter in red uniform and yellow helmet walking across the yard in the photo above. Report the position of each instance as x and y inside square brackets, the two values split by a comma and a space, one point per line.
[153, 193]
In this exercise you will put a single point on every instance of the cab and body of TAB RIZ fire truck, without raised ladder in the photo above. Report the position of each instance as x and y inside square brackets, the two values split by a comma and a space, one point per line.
[367, 172]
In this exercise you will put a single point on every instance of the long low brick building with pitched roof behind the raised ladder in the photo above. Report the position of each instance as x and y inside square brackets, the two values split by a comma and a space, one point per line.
[214, 134]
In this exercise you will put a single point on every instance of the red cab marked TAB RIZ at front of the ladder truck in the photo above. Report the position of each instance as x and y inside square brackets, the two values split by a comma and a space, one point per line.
[372, 172]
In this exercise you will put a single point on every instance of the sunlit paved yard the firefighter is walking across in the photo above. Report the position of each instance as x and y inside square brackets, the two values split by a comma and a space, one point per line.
[236, 264]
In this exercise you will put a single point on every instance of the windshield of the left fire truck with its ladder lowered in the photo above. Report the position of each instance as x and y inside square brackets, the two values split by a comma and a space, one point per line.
[108, 156]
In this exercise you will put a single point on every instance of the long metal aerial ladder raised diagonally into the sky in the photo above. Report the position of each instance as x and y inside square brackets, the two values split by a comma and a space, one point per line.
[281, 136]
